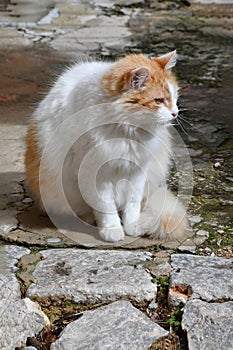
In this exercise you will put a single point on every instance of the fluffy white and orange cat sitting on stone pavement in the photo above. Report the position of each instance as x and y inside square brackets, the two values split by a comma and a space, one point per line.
[112, 120]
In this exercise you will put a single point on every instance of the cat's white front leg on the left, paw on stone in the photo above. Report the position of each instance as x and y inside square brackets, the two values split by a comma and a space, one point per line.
[107, 217]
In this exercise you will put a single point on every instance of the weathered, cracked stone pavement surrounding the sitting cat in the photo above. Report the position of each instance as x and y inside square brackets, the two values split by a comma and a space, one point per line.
[143, 294]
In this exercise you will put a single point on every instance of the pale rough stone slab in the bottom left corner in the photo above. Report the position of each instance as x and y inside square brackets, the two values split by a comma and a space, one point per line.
[20, 320]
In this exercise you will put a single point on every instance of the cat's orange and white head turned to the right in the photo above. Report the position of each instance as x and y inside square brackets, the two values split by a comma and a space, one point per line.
[145, 83]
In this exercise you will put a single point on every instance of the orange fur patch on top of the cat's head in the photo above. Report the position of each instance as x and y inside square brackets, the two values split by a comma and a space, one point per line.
[116, 81]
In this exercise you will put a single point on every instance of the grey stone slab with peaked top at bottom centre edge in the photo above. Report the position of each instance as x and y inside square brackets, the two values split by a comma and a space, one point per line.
[116, 326]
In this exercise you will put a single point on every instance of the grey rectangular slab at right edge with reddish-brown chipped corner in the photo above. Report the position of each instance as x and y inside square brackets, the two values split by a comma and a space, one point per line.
[207, 278]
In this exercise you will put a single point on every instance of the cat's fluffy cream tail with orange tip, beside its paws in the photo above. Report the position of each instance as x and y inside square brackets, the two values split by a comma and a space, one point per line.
[164, 216]
